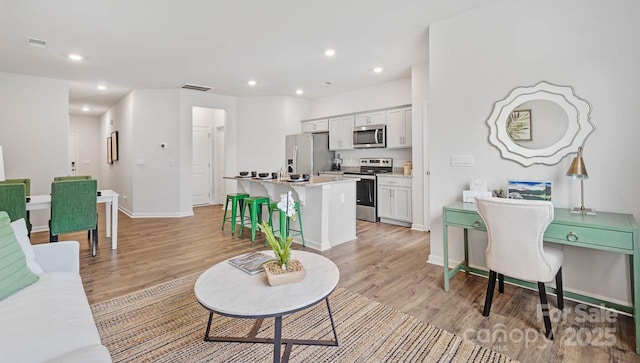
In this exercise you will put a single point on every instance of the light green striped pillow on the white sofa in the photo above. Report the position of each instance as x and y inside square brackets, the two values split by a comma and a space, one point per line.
[14, 273]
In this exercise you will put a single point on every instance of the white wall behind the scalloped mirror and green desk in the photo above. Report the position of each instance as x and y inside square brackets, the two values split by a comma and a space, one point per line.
[478, 57]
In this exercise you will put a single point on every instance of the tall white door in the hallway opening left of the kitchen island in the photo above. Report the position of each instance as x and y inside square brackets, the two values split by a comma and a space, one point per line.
[201, 160]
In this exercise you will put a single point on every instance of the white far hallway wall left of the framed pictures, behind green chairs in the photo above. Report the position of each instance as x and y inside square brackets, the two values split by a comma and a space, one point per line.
[89, 145]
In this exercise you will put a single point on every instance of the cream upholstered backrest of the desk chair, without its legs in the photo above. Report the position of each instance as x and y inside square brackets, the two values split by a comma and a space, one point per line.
[515, 230]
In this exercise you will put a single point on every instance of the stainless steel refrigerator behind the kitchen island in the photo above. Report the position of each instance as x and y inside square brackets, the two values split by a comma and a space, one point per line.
[308, 153]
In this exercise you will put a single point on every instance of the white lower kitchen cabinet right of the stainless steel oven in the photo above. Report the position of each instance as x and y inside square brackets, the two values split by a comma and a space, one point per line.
[394, 200]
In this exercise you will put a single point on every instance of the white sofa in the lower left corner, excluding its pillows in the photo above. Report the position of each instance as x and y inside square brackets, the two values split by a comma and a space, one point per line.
[50, 320]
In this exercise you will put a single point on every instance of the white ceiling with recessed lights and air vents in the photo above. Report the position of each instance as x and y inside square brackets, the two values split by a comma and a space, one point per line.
[150, 44]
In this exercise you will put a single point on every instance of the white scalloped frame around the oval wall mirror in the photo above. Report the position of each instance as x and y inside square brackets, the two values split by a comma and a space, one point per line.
[579, 125]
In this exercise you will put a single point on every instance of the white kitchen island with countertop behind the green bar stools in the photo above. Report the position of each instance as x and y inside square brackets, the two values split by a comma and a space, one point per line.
[327, 206]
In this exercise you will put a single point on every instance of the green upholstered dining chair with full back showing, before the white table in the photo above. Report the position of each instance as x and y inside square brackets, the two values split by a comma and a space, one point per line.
[73, 209]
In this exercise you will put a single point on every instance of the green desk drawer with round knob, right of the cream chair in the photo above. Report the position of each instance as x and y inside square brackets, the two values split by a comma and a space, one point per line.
[577, 235]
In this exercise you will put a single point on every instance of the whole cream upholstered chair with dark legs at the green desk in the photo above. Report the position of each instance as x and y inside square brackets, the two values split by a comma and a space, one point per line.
[515, 230]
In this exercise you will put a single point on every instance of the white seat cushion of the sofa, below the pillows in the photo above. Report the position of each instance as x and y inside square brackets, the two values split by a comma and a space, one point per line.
[47, 320]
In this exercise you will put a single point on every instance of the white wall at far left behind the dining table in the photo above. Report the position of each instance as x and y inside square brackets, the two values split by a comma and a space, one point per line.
[33, 132]
